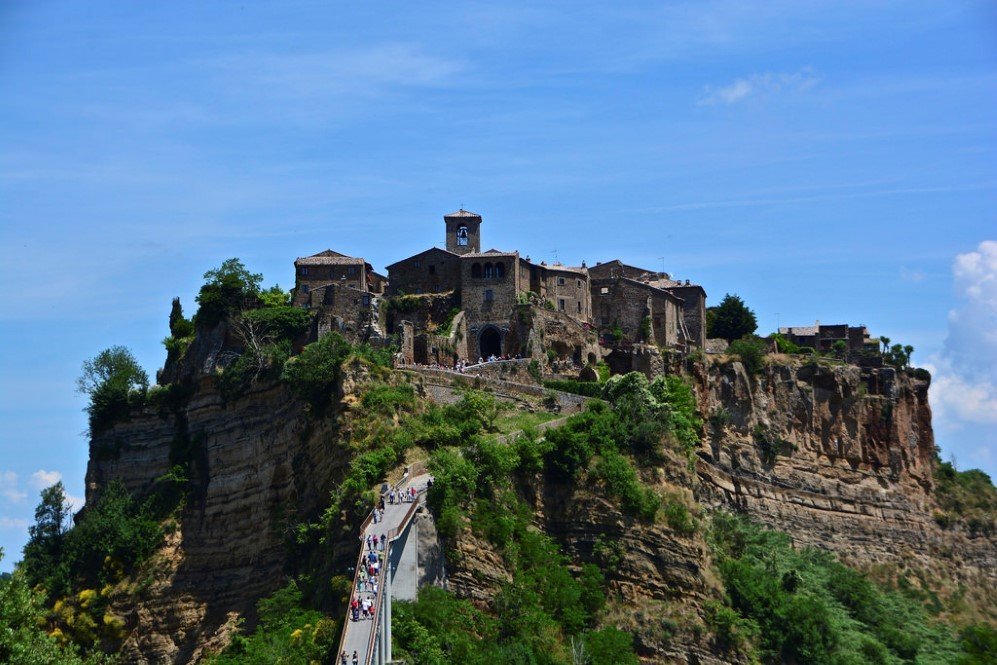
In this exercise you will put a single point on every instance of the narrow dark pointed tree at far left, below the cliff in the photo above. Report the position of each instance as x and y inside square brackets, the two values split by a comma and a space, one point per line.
[43, 552]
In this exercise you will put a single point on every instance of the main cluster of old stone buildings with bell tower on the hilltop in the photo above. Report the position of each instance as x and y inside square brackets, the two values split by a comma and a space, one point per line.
[626, 304]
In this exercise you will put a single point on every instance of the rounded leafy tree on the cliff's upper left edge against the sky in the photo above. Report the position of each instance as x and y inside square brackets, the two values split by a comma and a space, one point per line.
[113, 380]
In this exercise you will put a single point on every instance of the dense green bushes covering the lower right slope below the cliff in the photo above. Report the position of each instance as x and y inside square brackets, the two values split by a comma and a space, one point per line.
[790, 605]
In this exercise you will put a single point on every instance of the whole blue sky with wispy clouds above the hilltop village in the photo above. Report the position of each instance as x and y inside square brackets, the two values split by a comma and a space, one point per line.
[823, 160]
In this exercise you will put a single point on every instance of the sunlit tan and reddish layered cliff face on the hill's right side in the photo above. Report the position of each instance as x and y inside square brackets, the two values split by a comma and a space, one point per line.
[840, 458]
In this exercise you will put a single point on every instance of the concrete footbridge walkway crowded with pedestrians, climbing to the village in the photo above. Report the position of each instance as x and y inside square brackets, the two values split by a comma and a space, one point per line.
[358, 635]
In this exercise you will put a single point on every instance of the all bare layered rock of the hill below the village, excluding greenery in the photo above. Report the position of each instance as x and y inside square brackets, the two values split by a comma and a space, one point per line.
[840, 457]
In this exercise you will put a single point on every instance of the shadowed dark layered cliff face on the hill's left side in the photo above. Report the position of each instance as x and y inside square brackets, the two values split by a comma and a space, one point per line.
[257, 466]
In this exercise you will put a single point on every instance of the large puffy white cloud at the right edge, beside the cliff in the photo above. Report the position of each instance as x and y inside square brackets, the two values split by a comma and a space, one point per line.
[964, 389]
